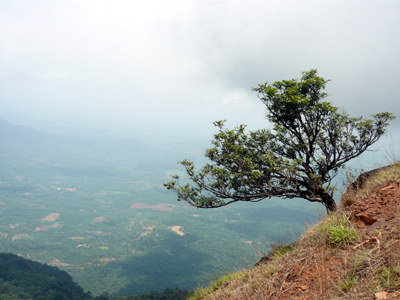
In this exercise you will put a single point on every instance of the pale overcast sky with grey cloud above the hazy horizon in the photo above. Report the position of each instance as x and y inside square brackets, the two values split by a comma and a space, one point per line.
[174, 67]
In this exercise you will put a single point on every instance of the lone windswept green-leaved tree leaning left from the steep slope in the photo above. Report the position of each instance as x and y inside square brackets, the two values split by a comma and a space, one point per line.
[309, 142]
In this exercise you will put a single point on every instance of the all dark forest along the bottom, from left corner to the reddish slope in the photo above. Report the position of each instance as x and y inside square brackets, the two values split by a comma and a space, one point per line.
[24, 279]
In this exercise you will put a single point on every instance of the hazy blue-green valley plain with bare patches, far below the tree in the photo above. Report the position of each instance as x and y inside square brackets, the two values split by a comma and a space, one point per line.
[98, 210]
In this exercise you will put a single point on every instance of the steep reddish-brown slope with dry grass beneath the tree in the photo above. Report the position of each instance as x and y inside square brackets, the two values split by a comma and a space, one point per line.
[353, 253]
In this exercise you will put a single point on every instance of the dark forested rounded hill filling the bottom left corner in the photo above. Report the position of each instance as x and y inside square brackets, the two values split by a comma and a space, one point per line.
[25, 279]
